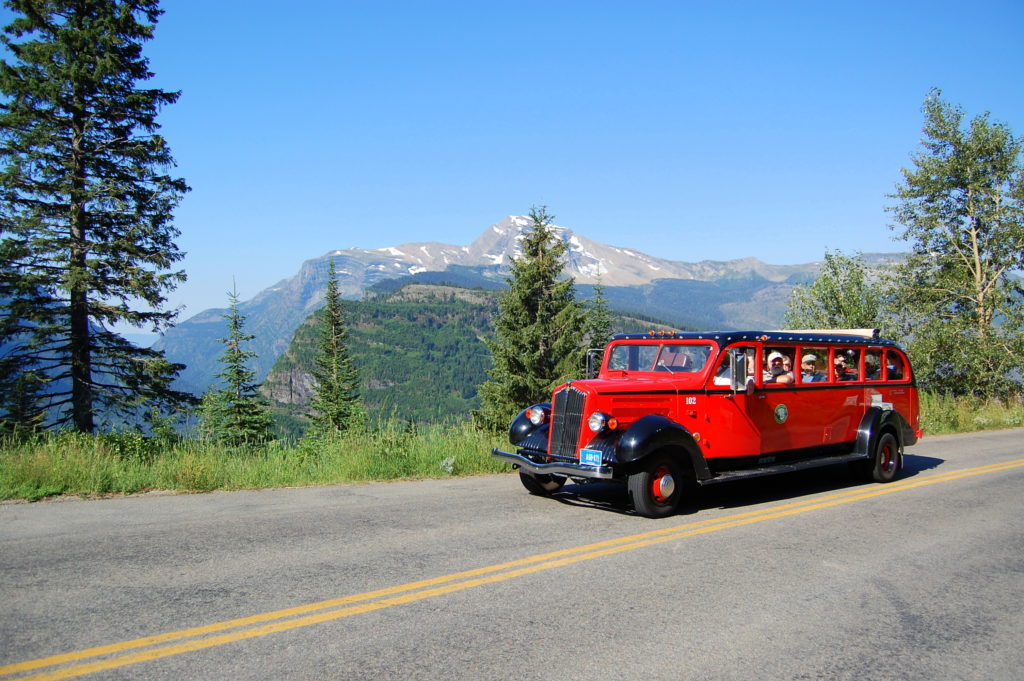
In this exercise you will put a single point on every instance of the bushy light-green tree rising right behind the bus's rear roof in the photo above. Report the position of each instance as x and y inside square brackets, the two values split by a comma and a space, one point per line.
[845, 295]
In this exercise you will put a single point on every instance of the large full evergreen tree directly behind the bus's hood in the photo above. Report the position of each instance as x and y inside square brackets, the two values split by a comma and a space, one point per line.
[539, 332]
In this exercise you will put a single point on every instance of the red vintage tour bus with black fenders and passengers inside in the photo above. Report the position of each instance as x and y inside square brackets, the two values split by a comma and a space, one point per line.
[669, 408]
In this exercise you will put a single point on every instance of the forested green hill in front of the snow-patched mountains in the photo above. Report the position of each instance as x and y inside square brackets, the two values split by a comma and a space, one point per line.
[420, 352]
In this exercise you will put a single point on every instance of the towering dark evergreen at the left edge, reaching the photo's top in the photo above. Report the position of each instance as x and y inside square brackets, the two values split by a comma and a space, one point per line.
[87, 240]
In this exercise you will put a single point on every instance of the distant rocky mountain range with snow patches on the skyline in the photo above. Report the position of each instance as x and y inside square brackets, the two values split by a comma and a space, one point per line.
[729, 294]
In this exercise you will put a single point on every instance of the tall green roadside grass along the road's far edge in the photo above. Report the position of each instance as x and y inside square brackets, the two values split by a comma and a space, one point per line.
[55, 464]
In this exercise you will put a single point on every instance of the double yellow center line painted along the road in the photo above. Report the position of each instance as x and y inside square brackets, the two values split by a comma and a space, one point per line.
[174, 644]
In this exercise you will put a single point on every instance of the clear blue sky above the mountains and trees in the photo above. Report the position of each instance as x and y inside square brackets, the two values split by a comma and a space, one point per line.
[688, 131]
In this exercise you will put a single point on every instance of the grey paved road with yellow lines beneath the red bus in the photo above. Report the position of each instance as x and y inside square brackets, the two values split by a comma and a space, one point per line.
[812, 576]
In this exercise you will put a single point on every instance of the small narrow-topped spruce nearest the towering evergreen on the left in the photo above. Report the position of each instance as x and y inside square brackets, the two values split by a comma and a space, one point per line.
[236, 414]
